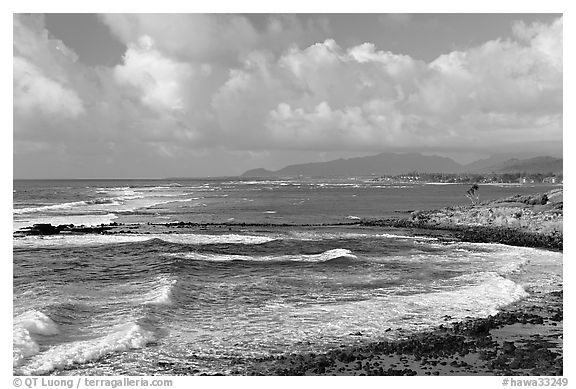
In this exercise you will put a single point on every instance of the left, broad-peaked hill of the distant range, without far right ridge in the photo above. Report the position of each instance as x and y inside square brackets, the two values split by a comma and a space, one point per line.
[381, 164]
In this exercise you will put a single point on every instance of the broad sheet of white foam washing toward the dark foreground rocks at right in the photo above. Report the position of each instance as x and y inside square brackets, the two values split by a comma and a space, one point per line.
[411, 312]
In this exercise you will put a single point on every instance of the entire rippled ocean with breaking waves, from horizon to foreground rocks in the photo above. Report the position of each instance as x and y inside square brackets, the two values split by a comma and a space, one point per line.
[278, 271]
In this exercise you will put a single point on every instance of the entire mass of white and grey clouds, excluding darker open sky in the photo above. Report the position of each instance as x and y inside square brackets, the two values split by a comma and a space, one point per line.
[189, 84]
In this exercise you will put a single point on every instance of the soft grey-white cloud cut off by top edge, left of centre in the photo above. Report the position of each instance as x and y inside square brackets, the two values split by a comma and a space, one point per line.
[218, 38]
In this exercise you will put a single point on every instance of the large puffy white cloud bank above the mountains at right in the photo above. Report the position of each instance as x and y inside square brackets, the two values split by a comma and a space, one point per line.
[325, 96]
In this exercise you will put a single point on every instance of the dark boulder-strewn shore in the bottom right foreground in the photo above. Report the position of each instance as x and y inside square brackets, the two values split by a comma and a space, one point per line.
[525, 338]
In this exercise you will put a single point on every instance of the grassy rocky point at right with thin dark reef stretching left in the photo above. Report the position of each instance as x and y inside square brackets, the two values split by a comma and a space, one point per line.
[517, 220]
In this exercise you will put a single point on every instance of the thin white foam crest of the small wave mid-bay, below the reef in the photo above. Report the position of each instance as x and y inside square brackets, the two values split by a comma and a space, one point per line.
[322, 257]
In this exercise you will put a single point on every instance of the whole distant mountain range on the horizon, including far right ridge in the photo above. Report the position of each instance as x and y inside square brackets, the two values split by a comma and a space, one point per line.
[394, 164]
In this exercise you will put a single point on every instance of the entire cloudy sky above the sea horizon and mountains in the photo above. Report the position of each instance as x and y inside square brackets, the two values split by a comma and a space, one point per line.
[196, 95]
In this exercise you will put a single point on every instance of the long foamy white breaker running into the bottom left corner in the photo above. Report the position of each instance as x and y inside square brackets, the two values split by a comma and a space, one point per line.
[129, 336]
